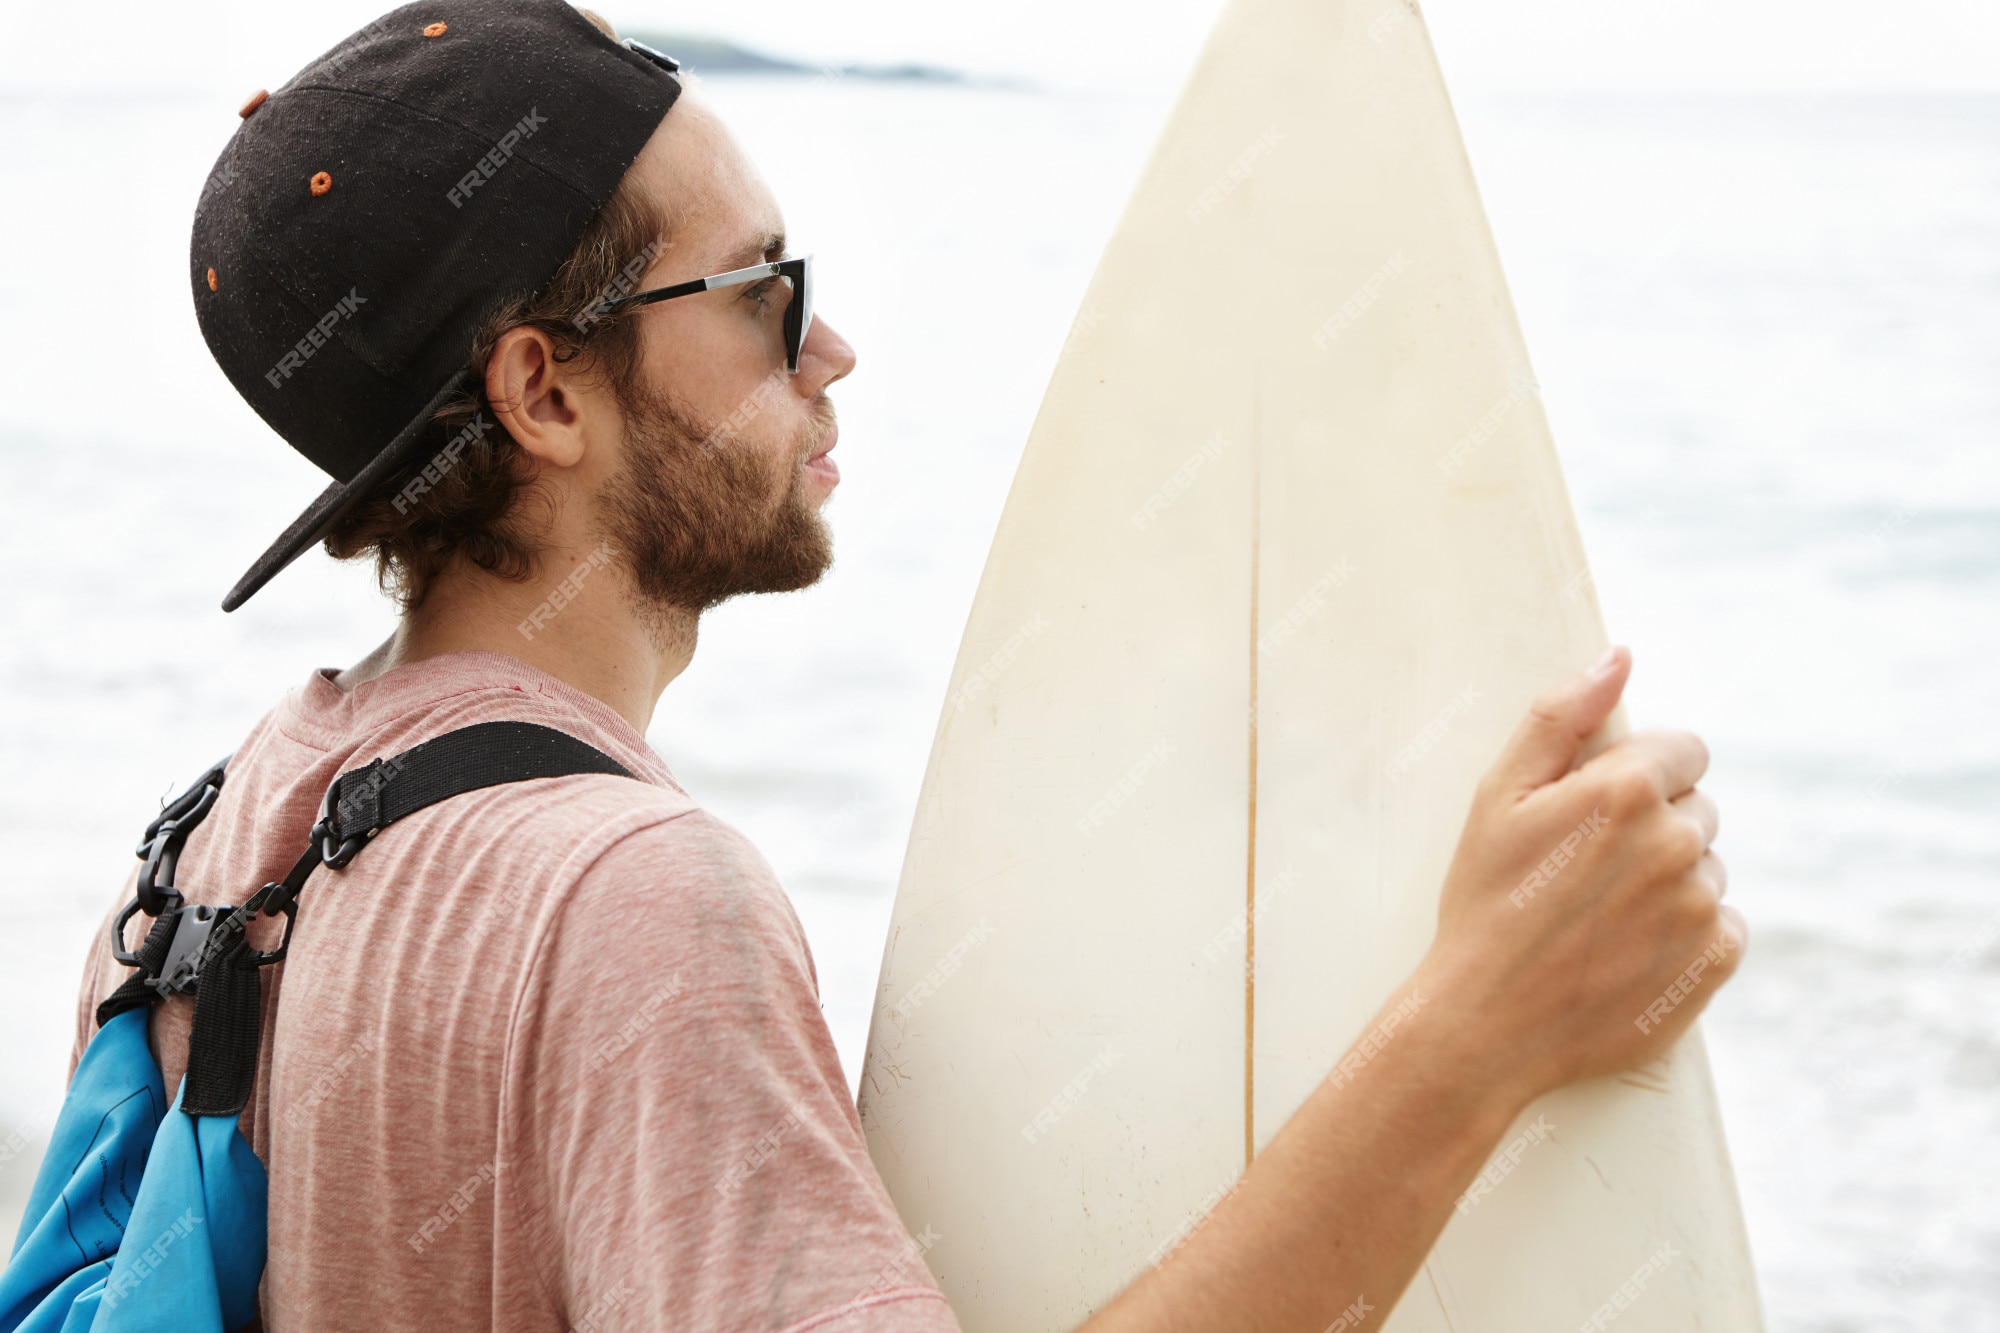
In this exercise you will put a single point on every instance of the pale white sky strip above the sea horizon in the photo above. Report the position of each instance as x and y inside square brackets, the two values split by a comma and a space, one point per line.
[1487, 47]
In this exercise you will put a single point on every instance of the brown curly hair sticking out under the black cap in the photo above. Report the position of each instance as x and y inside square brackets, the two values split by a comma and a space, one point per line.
[467, 493]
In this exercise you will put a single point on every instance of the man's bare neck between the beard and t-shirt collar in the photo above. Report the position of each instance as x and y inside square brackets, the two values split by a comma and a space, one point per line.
[575, 619]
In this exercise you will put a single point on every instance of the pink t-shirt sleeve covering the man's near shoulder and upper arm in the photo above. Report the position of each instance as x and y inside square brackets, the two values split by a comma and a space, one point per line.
[683, 1128]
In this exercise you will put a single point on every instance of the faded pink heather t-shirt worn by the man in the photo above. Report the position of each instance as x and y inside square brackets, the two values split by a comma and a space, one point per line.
[545, 1056]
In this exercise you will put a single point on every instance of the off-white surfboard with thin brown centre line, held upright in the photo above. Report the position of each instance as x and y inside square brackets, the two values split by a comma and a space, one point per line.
[1287, 557]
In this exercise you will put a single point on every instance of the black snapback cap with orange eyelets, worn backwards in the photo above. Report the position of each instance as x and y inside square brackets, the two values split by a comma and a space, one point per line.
[371, 215]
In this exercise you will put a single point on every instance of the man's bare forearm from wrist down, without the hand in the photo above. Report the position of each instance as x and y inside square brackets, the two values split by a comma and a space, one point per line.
[1349, 1198]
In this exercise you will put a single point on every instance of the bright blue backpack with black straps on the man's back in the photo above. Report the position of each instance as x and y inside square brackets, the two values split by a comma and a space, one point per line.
[149, 1216]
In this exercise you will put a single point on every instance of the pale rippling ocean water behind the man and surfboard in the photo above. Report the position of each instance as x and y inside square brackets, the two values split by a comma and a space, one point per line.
[1767, 335]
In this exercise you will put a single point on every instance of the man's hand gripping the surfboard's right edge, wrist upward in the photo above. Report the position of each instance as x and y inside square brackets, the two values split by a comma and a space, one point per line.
[1583, 916]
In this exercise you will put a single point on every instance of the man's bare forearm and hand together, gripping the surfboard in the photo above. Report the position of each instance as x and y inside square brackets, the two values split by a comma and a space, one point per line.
[1579, 934]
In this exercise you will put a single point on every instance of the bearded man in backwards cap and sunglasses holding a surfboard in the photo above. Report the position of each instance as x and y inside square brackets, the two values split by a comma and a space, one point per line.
[551, 1056]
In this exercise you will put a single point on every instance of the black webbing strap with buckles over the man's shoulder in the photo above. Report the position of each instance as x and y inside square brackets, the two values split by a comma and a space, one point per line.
[215, 958]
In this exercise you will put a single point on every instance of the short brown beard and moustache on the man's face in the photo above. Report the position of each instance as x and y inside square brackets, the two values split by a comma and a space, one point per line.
[697, 515]
